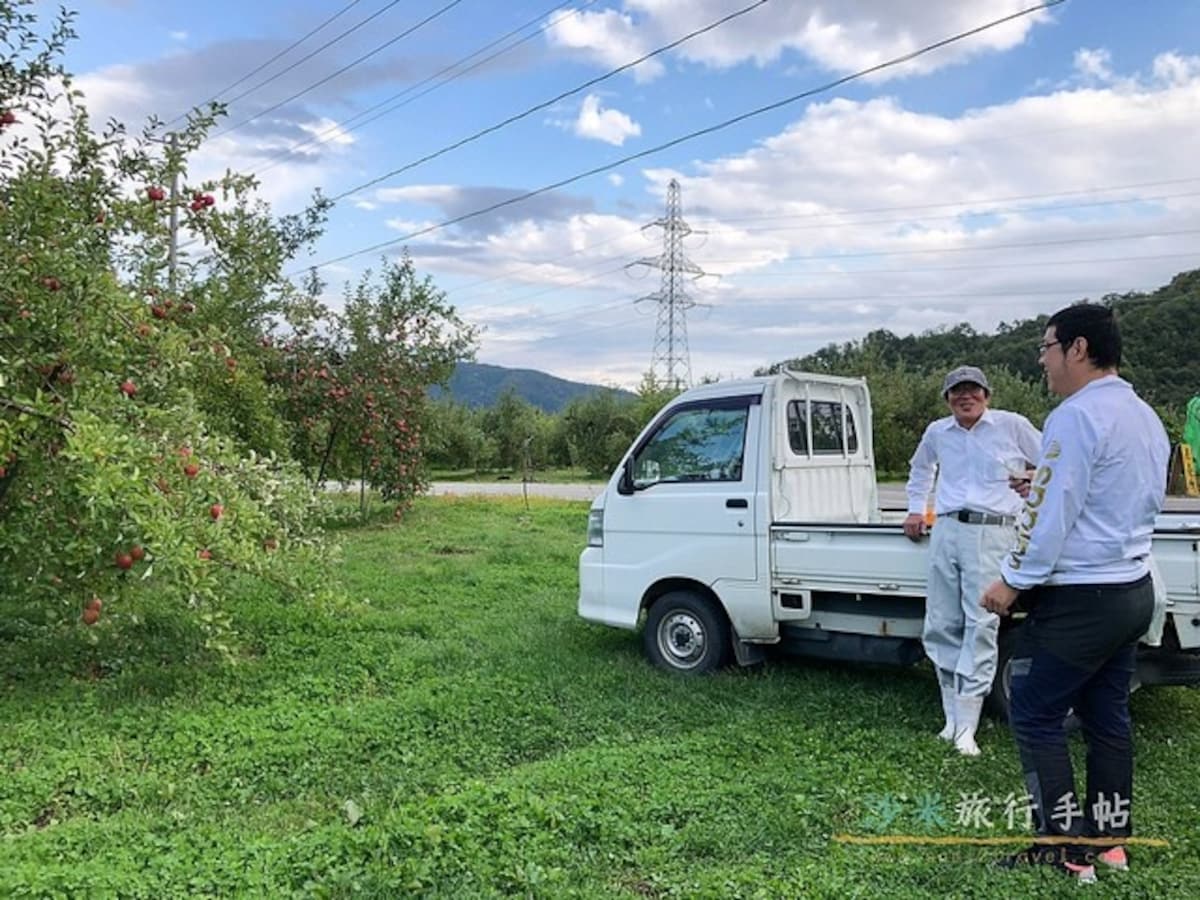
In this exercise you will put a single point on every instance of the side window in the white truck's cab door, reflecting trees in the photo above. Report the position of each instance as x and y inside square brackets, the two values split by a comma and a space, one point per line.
[695, 445]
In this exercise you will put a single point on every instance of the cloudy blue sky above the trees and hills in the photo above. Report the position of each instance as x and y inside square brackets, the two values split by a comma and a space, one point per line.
[1036, 164]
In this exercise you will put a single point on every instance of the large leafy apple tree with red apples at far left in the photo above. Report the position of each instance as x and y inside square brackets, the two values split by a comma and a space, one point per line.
[121, 490]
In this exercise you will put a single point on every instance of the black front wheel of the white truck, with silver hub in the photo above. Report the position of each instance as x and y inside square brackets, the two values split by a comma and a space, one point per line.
[687, 633]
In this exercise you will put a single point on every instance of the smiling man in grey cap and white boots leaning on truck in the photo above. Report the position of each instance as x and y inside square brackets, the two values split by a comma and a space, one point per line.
[971, 453]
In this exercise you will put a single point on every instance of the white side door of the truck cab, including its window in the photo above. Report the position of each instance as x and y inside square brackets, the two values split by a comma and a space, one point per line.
[687, 506]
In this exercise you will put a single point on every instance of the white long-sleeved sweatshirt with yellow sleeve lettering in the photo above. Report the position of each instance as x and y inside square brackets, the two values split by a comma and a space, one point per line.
[1101, 483]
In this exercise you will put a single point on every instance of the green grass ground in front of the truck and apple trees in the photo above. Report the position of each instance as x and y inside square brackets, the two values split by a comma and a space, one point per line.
[455, 730]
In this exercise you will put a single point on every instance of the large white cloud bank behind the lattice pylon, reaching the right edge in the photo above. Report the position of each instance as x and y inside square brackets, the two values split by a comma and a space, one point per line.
[867, 215]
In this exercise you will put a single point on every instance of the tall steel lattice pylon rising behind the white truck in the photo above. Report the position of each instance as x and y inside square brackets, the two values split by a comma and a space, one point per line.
[671, 359]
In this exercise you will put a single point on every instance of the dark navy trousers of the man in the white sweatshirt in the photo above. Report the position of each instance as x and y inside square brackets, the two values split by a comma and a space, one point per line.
[1078, 651]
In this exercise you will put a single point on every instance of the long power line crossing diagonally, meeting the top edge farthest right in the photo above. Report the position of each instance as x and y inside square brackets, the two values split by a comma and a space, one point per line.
[692, 136]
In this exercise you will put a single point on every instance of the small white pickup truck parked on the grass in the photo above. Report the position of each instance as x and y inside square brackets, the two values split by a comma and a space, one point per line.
[747, 515]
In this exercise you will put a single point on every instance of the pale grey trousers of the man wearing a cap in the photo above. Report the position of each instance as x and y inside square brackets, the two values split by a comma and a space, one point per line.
[961, 635]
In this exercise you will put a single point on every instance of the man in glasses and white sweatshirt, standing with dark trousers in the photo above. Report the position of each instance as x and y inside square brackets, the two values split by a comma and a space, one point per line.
[1081, 565]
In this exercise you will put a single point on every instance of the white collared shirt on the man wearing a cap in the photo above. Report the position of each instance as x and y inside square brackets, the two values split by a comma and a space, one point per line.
[970, 464]
